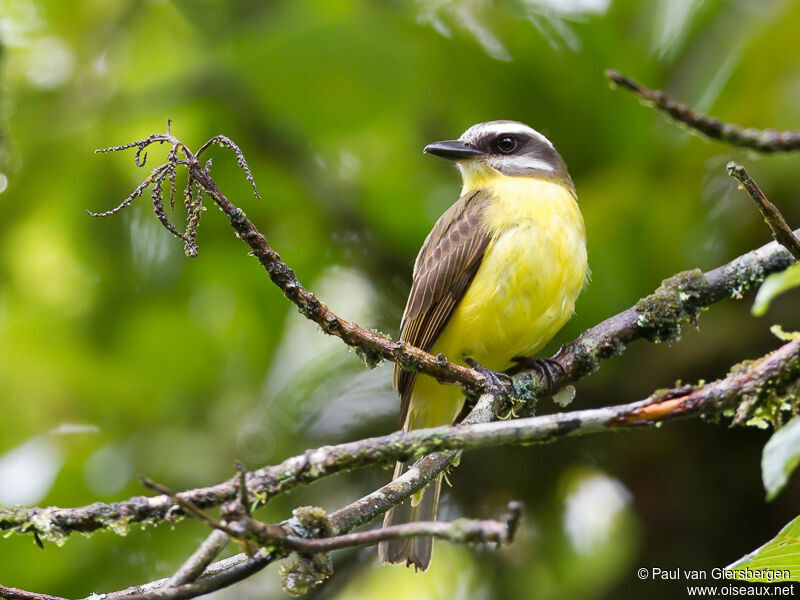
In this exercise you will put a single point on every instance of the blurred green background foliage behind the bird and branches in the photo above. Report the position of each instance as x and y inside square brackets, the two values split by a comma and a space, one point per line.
[119, 356]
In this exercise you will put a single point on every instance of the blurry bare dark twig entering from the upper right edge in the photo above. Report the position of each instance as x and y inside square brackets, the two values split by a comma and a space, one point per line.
[762, 140]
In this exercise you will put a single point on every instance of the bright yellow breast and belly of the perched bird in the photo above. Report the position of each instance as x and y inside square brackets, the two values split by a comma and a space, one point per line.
[531, 274]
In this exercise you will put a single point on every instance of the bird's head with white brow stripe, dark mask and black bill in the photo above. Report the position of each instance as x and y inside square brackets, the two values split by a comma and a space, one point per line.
[502, 148]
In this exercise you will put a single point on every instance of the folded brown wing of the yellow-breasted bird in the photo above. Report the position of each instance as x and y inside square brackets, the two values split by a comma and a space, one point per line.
[445, 266]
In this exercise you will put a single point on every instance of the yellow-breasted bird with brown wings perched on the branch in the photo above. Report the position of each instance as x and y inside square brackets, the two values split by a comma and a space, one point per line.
[496, 278]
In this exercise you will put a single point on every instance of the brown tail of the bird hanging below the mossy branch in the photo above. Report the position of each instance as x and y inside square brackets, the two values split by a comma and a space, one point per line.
[411, 551]
